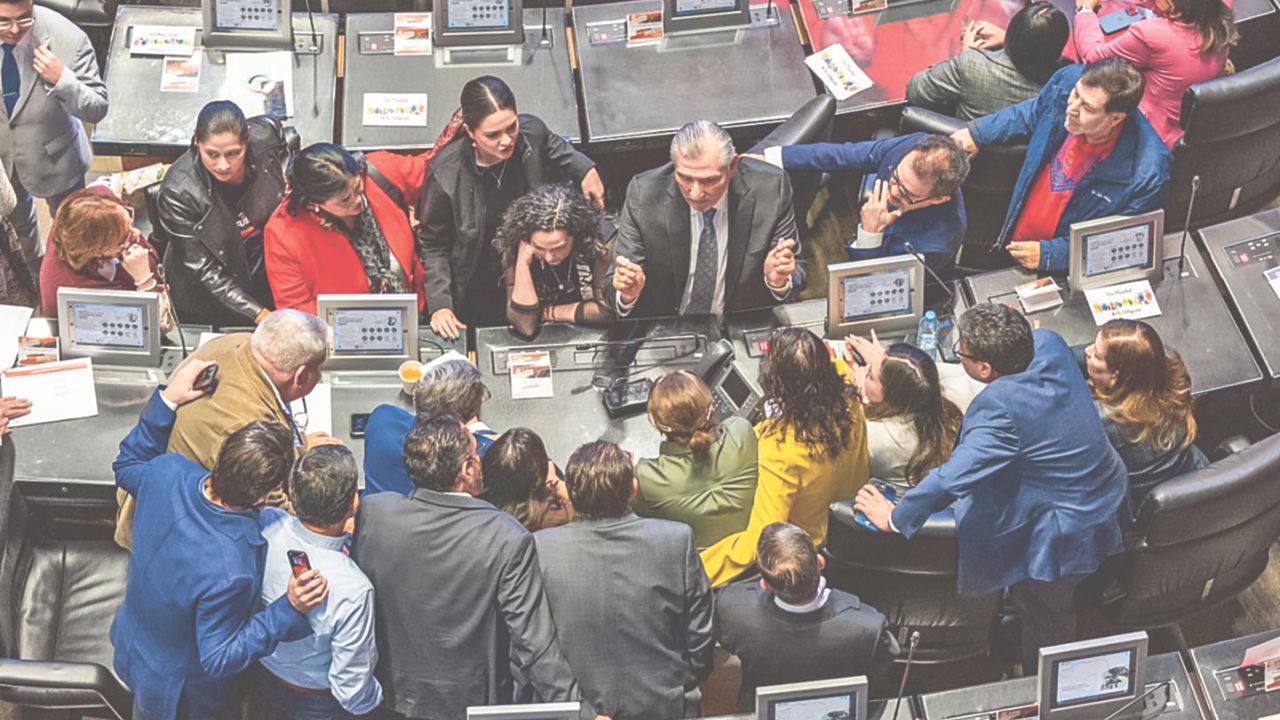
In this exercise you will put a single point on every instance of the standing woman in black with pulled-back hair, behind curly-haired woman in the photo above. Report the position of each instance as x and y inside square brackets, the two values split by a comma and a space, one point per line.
[488, 158]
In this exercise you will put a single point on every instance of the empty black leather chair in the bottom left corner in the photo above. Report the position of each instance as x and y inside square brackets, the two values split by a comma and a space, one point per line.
[62, 596]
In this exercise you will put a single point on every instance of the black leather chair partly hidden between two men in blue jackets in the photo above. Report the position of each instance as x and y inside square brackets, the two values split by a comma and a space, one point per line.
[988, 192]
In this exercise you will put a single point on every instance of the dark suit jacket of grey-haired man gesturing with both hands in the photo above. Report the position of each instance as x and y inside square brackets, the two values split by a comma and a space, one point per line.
[653, 231]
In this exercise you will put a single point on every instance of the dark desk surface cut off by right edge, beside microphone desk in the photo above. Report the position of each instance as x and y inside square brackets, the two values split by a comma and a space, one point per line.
[1255, 303]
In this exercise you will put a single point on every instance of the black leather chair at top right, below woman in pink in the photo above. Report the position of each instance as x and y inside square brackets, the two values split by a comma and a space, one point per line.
[1232, 143]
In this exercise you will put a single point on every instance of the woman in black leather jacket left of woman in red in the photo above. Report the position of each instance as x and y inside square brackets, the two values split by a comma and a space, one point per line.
[213, 207]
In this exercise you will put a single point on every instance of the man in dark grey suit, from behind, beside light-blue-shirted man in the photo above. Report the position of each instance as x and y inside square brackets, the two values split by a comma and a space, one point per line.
[447, 568]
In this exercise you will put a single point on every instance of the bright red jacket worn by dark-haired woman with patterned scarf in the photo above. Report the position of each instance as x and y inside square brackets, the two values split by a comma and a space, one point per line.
[307, 259]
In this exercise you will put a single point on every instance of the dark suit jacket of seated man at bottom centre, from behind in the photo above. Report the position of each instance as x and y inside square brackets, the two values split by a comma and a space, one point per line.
[840, 640]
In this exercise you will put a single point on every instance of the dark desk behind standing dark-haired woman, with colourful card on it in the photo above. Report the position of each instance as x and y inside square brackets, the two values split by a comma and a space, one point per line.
[543, 83]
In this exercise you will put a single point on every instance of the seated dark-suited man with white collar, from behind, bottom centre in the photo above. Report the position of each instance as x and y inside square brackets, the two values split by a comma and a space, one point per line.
[792, 628]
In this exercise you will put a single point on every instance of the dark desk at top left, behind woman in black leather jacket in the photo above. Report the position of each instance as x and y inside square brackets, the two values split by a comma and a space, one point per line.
[148, 122]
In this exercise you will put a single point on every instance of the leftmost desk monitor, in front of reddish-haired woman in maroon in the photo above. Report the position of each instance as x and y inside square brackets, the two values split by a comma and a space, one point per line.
[113, 326]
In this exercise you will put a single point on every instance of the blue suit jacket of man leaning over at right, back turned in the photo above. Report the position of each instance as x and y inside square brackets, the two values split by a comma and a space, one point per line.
[1036, 484]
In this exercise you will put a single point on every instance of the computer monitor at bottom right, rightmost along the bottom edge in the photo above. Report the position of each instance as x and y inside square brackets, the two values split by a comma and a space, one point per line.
[1092, 680]
